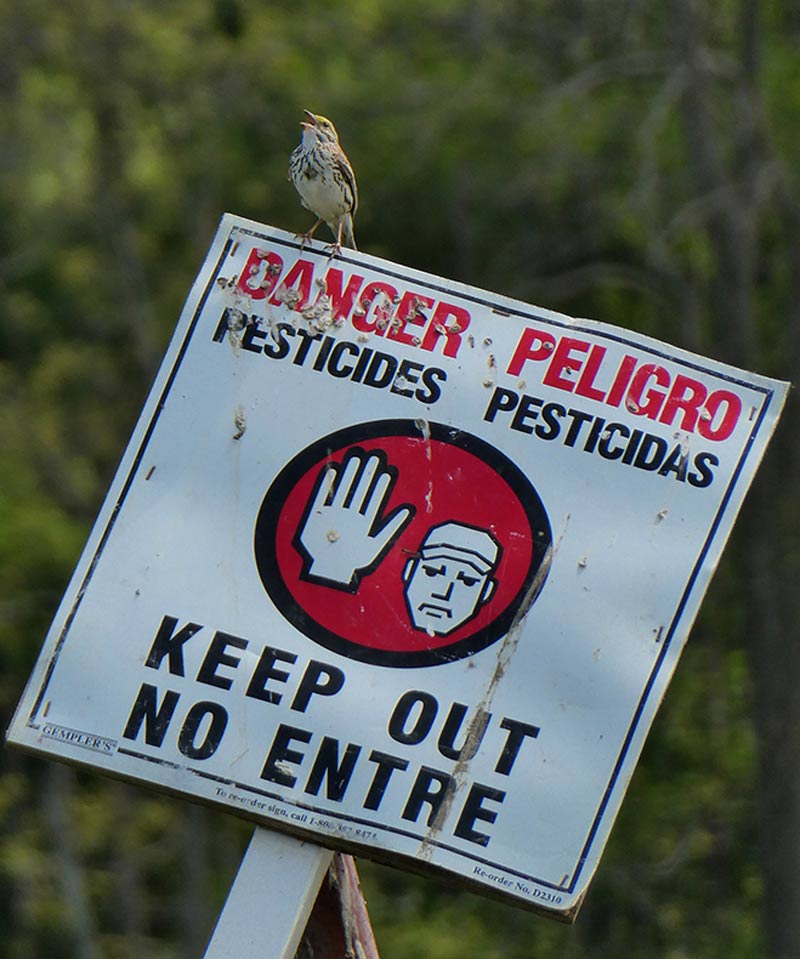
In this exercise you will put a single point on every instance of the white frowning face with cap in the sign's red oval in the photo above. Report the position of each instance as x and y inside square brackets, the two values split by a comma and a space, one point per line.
[451, 578]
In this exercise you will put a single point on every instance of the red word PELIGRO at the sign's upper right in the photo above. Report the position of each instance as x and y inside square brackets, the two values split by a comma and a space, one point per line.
[646, 389]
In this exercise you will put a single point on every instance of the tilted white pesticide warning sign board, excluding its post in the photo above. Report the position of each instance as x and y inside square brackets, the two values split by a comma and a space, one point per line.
[398, 565]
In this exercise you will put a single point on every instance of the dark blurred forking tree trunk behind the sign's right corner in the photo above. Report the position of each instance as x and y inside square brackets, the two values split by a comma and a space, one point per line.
[733, 177]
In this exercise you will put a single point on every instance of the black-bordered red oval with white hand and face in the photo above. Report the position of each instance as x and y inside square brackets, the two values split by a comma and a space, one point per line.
[402, 543]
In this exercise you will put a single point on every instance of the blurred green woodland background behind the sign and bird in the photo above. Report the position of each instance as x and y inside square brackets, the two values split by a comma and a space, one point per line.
[630, 161]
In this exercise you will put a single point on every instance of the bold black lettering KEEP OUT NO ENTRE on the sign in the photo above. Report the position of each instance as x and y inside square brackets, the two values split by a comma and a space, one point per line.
[321, 764]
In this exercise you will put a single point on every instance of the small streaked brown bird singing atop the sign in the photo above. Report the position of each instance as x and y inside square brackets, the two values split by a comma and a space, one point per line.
[324, 178]
